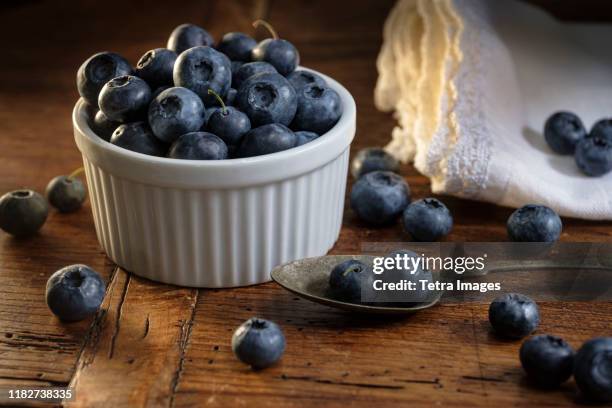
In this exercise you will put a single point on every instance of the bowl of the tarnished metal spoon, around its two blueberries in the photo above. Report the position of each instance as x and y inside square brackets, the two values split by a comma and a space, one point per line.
[308, 278]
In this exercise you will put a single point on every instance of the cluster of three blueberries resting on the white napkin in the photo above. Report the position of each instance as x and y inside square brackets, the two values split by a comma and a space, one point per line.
[566, 135]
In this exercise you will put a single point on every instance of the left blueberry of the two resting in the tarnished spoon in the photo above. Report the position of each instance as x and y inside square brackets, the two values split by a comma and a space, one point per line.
[345, 280]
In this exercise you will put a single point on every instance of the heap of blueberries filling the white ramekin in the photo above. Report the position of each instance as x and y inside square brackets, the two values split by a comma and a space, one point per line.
[199, 100]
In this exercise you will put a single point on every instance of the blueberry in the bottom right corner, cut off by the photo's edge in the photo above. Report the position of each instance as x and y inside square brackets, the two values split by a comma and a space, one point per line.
[593, 369]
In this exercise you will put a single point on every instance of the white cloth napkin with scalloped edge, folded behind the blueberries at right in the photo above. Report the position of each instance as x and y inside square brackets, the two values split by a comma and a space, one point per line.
[471, 83]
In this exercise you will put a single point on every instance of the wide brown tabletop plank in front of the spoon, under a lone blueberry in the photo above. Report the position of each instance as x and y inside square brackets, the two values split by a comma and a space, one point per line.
[446, 355]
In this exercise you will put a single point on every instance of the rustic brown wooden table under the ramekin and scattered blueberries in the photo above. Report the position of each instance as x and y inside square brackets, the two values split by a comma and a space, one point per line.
[159, 345]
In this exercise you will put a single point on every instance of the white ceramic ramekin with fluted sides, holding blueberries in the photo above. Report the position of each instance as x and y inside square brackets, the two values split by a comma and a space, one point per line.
[217, 223]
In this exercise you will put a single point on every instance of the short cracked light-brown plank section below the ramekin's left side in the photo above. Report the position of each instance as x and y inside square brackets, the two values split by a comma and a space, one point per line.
[140, 334]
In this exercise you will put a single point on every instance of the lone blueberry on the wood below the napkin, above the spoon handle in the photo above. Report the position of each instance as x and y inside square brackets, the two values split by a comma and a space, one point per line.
[534, 223]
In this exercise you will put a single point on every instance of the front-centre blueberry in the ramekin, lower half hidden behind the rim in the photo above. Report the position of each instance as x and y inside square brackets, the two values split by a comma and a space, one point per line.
[198, 146]
